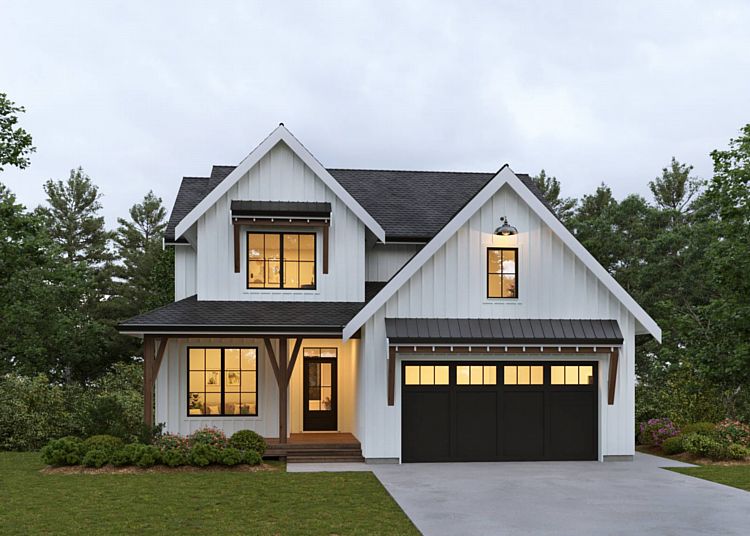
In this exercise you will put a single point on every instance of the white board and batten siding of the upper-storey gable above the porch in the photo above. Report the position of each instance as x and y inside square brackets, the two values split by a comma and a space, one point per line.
[280, 176]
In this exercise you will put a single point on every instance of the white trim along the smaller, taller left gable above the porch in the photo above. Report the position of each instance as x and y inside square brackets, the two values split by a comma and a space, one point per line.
[278, 135]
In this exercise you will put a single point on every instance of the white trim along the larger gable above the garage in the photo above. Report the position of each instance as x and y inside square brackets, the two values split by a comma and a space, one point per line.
[504, 176]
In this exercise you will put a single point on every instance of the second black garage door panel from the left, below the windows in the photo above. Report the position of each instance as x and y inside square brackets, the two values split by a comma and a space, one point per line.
[476, 425]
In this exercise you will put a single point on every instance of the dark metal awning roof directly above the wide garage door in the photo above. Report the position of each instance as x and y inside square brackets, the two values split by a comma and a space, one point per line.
[502, 331]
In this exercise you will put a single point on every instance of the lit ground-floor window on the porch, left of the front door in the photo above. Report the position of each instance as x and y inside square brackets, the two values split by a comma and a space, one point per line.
[222, 381]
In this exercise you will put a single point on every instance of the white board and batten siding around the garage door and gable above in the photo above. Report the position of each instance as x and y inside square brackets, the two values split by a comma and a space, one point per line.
[553, 283]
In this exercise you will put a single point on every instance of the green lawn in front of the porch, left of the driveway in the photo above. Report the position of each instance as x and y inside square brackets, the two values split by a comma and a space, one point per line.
[273, 503]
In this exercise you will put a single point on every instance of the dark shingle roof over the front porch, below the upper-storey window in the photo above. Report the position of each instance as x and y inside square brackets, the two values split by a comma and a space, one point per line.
[192, 315]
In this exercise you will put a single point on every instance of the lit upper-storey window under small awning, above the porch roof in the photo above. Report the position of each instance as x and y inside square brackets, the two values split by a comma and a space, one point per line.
[281, 260]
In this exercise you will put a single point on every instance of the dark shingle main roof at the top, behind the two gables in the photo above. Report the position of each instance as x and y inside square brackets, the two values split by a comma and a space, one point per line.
[409, 205]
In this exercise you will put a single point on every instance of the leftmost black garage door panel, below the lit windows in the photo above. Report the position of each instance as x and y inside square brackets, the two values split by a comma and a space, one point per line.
[426, 426]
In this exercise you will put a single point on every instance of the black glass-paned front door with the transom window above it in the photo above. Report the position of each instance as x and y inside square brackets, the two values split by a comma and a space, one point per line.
[320, 396]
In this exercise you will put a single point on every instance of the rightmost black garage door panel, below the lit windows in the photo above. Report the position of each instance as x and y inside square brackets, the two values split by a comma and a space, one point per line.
[572, 425]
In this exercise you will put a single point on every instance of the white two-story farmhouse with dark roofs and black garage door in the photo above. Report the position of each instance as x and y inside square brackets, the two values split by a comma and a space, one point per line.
[421, 316]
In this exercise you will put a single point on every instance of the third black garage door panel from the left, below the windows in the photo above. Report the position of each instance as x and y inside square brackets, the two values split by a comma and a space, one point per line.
[522, 431]
